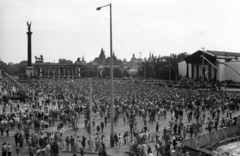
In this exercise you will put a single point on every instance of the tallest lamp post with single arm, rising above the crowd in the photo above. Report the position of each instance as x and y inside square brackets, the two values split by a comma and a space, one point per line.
[111, 66]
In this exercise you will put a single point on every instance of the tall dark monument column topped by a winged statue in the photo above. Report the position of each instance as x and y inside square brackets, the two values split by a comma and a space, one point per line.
[29, 70]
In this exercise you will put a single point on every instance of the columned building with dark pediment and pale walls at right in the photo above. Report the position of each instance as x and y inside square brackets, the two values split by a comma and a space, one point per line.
[217, 65]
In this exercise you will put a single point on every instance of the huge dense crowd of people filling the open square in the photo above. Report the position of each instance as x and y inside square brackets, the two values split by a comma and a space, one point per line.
[138, 105]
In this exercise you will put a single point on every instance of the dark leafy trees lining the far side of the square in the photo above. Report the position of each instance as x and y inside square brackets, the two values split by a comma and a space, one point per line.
[159, 67]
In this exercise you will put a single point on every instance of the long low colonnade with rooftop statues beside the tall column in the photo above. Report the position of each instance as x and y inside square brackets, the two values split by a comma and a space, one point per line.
[57, 70]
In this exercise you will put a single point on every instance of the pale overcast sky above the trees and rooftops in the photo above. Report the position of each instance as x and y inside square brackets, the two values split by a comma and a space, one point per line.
[74, 28]
